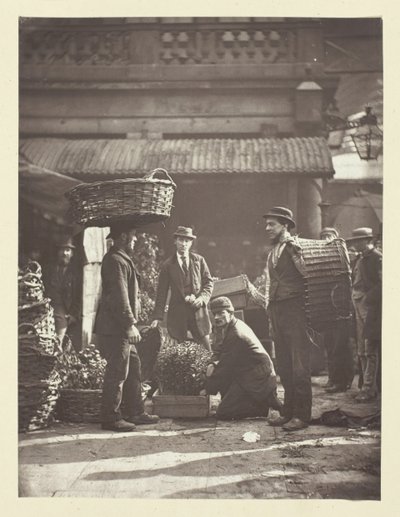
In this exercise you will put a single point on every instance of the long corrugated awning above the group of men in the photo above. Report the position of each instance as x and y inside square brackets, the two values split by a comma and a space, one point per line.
[291, 156]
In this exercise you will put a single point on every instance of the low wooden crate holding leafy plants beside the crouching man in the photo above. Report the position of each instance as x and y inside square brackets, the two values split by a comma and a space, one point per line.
[181, 406]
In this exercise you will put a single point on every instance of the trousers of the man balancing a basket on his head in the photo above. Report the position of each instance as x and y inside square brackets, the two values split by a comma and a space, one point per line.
[122, 379]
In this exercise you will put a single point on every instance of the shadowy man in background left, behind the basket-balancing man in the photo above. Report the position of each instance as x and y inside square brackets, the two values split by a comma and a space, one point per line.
[63, 286]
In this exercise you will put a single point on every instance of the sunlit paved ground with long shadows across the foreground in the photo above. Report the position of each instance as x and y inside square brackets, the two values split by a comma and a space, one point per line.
[206, 459]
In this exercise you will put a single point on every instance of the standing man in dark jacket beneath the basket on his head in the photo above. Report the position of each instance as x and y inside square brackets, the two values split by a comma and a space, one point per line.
[117, 333]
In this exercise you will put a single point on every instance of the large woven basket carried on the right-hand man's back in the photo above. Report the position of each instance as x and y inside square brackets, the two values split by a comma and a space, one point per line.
[328, 284]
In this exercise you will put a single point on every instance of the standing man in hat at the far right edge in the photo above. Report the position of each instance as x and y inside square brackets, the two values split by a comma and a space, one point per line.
[367, 302]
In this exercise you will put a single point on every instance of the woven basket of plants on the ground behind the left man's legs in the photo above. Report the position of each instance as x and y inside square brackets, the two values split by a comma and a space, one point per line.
[79, 405]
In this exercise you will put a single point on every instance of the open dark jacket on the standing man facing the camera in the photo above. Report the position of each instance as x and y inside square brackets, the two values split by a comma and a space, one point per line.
[171, 278]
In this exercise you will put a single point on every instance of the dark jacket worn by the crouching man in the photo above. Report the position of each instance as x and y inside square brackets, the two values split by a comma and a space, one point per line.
[242, 358]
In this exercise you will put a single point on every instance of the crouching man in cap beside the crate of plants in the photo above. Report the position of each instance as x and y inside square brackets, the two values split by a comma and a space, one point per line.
[241, 370]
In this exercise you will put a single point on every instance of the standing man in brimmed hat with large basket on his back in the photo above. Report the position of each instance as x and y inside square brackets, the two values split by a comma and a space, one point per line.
[285, 292]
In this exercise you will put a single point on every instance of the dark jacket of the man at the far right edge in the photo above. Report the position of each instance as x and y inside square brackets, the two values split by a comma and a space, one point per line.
[370, 267]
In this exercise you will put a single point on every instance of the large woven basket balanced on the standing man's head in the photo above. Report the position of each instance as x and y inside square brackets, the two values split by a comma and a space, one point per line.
[140, 200]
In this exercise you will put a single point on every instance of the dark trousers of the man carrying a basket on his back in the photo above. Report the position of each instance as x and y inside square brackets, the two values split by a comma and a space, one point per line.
[292, 346]
